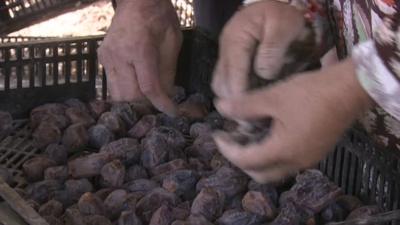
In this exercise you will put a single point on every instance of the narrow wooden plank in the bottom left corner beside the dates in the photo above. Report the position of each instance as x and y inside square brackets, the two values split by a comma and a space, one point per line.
[19, 205]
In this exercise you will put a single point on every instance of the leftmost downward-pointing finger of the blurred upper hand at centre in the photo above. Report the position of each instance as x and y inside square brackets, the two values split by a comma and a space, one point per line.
[237, 44]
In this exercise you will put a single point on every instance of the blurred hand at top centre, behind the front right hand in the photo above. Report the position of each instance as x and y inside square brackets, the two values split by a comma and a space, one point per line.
[262, 31]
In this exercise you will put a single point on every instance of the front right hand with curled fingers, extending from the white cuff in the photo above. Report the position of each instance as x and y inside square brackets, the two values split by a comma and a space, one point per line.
[310, 112]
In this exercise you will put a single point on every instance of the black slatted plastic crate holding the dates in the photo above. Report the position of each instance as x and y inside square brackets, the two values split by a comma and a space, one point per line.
[40, 71]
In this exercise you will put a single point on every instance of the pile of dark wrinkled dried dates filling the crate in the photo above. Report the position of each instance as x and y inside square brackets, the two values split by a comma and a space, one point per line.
[118, 163]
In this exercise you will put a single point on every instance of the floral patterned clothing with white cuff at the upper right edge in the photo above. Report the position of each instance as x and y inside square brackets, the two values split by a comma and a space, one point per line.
[369, 32]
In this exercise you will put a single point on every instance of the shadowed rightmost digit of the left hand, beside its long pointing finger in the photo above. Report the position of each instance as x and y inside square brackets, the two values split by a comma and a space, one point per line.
[169, 53]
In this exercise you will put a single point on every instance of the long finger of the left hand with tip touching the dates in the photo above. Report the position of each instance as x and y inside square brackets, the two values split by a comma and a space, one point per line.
[148, 75]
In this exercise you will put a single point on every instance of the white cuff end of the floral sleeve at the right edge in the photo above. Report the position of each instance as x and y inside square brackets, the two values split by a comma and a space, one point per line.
[378, 65]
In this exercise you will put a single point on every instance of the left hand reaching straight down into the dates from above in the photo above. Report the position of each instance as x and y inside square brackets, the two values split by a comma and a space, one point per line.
[140, 52]
